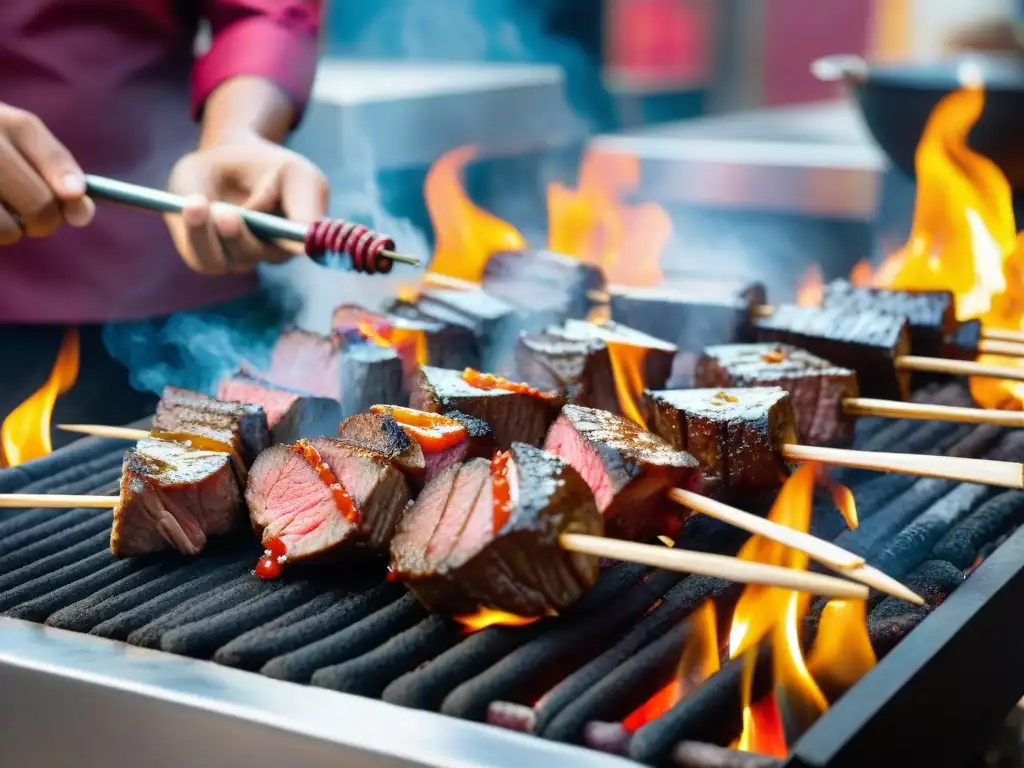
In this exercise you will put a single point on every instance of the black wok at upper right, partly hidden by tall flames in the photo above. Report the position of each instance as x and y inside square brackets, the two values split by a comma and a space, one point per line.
[897, 100]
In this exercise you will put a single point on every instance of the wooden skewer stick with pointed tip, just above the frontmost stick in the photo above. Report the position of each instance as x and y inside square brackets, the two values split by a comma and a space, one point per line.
[824, 552]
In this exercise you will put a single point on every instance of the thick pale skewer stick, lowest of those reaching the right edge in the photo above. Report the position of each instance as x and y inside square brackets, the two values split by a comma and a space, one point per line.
[984, 472]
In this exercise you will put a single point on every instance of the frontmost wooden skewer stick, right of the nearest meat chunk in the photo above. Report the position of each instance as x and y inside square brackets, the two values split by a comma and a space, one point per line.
[718, 567]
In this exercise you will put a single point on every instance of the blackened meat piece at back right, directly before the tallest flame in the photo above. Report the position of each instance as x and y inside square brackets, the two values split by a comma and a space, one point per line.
[931, 316]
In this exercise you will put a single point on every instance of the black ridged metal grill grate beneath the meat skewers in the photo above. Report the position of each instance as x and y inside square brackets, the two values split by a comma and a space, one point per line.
[572, 679]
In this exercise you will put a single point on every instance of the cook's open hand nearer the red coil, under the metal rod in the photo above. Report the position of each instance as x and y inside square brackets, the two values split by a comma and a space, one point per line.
[253, 174]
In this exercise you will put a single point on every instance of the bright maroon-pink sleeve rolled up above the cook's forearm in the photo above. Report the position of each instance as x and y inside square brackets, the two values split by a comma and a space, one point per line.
[273, 39]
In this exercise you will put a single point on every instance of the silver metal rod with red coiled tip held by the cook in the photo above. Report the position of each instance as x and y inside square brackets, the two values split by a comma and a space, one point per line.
[370, 252]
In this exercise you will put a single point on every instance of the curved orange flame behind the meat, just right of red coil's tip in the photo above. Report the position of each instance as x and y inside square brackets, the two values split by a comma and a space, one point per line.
[466, 235]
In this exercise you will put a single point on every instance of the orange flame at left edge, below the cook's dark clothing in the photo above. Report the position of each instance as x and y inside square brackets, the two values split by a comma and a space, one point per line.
[25, 435]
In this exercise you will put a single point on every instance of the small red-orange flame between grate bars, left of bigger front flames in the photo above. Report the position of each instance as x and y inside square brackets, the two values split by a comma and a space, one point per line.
[700, 662]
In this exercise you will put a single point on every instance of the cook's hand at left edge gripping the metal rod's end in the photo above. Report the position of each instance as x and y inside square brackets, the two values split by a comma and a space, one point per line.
[41, 186]
